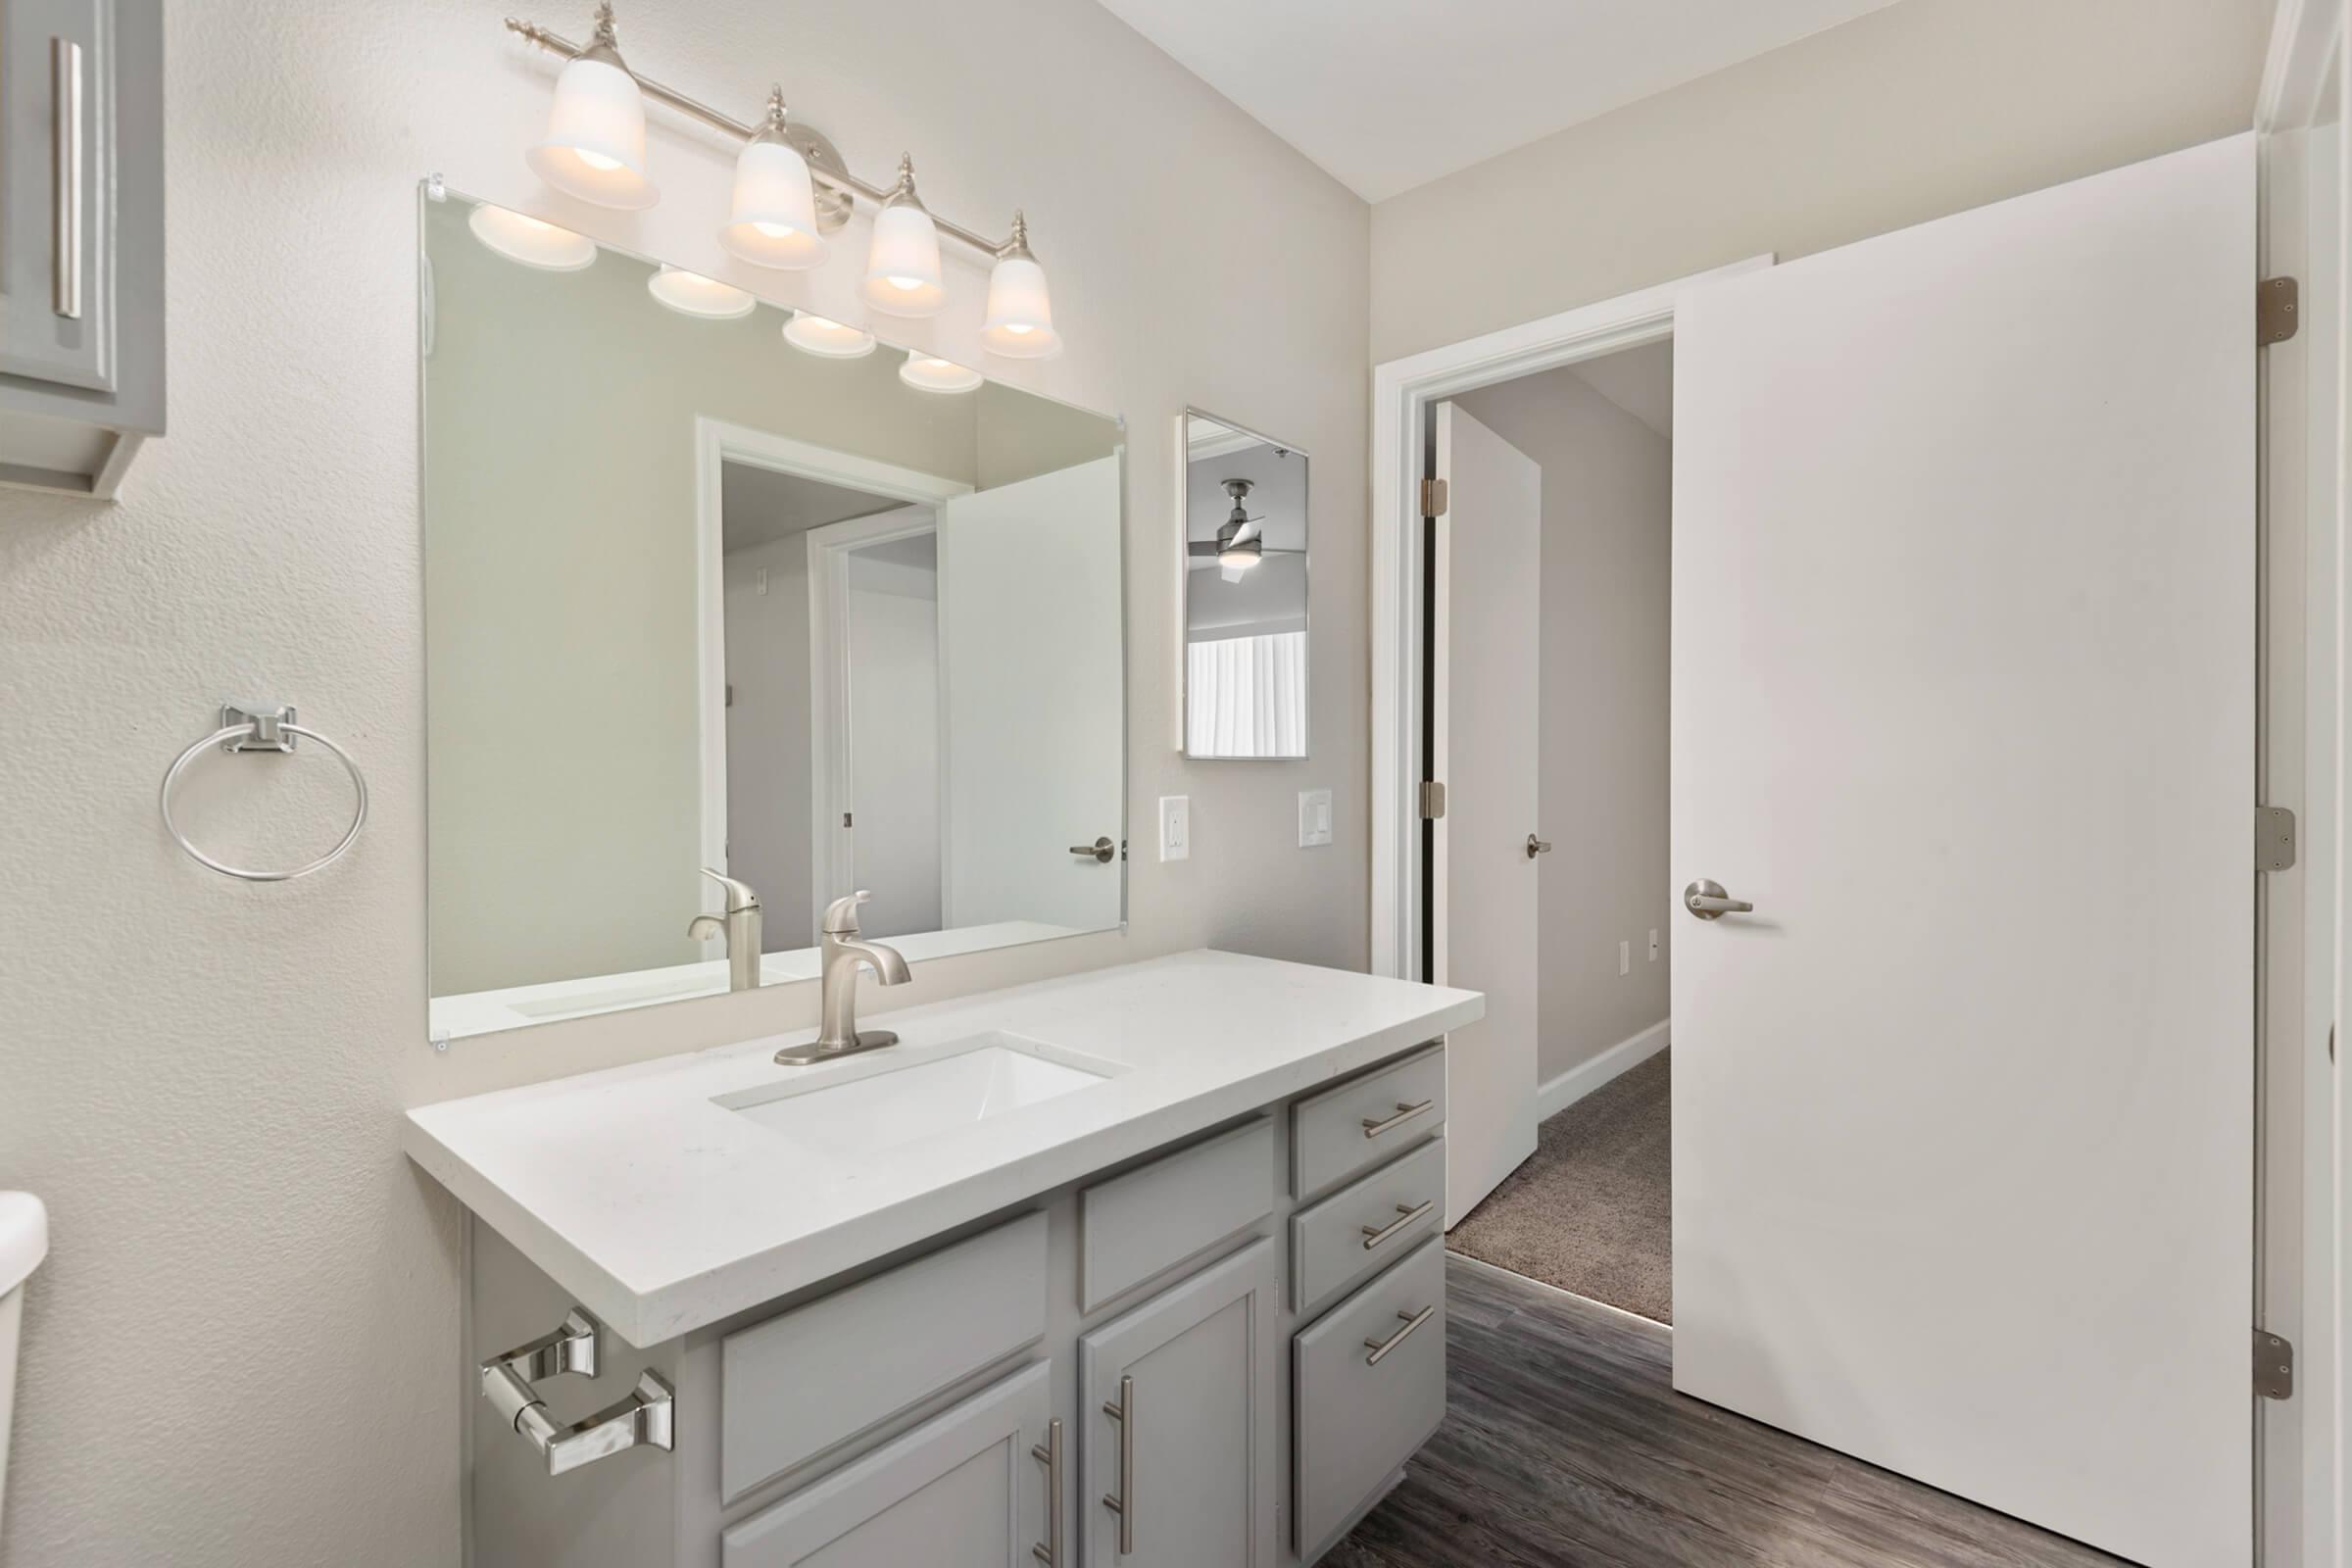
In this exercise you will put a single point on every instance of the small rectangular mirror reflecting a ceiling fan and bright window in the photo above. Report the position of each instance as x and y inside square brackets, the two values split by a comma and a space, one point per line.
[1245, 626]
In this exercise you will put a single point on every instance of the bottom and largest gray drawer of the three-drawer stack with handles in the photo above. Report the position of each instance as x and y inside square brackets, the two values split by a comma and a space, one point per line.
[1358, 1419]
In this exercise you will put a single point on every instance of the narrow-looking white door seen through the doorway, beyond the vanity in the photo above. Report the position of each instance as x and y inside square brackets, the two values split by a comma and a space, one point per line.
[1483, 732]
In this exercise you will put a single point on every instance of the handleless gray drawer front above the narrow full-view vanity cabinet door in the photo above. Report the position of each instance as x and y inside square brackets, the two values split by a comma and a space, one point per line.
[1156, 1217]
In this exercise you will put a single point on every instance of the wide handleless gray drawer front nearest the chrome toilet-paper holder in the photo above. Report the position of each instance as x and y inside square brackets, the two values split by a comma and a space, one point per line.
[820, 1374]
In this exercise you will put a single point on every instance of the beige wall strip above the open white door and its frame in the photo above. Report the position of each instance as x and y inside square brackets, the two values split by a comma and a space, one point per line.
[1902, 116]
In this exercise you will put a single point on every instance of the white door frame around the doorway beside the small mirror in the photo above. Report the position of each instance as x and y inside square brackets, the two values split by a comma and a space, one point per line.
[1403, 394]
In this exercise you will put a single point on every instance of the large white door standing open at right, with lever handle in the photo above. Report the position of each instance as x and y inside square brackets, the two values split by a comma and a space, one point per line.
[1963, 702]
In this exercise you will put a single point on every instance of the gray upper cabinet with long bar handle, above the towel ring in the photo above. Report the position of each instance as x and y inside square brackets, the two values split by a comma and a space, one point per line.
[81, 241]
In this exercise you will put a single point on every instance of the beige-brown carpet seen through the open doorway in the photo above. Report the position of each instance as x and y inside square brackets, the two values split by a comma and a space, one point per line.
[1591, 1212]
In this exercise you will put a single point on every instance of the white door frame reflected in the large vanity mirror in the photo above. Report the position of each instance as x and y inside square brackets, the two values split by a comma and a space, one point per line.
[719, 443]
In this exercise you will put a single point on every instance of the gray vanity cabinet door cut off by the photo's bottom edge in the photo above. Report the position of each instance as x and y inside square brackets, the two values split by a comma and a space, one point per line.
[958, 1492]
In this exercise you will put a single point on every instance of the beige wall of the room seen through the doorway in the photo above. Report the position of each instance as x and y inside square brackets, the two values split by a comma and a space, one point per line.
[1608, 544]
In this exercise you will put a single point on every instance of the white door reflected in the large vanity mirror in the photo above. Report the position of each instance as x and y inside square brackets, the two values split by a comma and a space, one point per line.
[1031, 688]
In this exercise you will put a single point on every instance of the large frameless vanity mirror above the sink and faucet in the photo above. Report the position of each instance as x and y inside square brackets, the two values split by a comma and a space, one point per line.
[801, 610]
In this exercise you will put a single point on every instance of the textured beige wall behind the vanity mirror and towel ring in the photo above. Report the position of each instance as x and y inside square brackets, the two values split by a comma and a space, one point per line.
[203, 1078]
